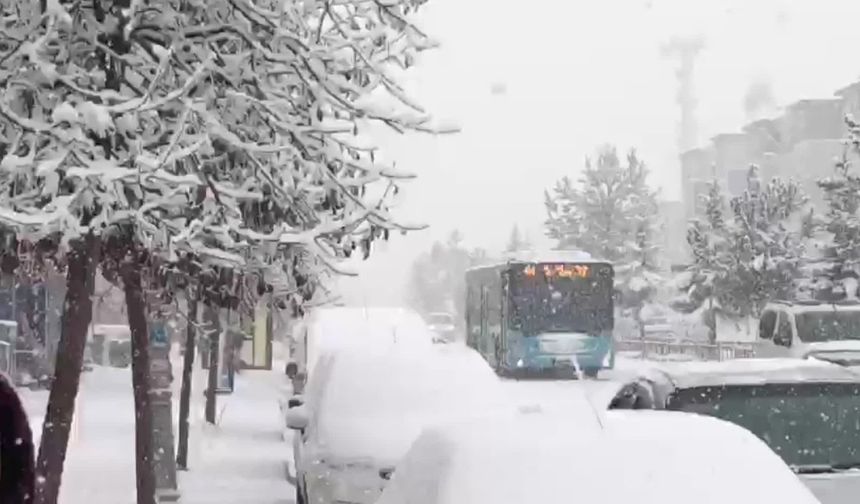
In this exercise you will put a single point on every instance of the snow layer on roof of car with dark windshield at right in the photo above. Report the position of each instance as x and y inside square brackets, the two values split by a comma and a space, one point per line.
[753, 371]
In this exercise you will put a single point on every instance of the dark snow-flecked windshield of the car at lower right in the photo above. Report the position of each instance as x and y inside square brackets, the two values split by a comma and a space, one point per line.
[806, 424]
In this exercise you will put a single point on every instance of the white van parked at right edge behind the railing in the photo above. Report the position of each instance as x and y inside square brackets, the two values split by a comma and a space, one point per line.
[810, 329]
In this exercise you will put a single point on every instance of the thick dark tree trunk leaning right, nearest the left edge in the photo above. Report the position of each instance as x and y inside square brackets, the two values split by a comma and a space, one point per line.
[77, 313]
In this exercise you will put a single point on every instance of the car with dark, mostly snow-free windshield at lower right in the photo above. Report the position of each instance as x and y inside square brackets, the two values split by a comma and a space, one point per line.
[807, 411]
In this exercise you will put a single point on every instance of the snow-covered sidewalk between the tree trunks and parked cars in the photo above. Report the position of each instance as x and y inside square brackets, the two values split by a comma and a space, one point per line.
[239, 461]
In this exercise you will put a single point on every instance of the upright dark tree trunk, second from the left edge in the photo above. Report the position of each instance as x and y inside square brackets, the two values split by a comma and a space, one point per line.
[140, 370]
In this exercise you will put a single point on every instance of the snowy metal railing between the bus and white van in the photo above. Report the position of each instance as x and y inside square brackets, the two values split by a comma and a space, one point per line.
[685, 350]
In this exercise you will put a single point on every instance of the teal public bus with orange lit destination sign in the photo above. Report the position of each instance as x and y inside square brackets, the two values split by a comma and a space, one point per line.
[542, 313]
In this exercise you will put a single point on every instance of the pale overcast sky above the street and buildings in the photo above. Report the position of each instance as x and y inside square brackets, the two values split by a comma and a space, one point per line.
[577, 75]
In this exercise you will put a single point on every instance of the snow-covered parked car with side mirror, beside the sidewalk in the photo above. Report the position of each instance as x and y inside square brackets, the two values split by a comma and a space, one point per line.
[363, 409]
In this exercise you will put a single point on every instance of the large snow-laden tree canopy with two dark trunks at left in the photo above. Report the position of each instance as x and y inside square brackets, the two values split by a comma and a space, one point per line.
[231, 133]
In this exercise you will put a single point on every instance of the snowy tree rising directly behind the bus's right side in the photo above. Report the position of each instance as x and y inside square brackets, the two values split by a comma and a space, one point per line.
[610, 213]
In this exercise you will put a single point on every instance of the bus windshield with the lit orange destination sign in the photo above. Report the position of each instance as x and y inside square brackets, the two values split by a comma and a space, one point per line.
[543, 298]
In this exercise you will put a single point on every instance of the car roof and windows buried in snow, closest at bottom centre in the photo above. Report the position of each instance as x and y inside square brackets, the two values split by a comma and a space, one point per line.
[631, 457]
